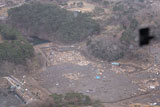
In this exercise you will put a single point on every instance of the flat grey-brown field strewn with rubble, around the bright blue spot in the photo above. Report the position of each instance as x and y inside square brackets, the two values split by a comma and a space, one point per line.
[116, 86]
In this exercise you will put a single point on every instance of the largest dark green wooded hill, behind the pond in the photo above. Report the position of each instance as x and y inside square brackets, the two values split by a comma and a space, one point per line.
[38, 19]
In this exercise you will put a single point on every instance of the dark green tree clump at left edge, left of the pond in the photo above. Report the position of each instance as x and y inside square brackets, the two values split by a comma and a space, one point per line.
[14, 47]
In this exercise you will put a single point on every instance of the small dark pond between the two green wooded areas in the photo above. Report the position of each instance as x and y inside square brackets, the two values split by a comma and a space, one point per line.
[35, 40]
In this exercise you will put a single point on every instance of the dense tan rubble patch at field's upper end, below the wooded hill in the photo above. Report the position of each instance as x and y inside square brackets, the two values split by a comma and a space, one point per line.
[56, 55]
